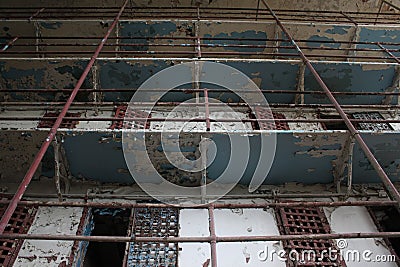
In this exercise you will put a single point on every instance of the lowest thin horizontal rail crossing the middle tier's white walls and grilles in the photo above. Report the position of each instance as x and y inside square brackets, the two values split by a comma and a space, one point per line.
[204, 119]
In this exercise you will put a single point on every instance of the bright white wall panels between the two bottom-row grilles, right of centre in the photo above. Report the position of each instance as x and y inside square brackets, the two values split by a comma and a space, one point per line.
[229, 222]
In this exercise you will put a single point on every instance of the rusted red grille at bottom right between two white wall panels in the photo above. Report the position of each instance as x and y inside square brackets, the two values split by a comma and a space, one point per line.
[300, 221]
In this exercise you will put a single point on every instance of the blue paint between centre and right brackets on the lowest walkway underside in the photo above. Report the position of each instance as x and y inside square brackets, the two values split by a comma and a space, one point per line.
[308, 169]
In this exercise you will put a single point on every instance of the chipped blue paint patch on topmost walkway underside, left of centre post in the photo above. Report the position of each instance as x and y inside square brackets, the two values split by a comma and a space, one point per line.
[144, 29]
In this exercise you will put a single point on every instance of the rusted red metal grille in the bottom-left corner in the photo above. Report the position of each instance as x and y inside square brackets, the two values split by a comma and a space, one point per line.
[19, 223]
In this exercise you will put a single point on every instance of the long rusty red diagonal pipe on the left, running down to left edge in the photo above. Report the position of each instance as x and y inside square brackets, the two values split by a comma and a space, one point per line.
[39, 156]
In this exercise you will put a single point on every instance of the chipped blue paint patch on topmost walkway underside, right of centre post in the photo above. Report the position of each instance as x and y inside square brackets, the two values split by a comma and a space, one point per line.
[235, 40]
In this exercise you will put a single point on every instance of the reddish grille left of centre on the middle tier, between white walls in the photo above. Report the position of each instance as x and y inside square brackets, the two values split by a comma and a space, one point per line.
[121, 112]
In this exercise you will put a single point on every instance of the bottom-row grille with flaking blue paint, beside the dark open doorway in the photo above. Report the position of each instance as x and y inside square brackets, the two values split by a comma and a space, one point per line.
[154, 222]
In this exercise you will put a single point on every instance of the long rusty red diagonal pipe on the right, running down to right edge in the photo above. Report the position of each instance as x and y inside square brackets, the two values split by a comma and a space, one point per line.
[391, 189]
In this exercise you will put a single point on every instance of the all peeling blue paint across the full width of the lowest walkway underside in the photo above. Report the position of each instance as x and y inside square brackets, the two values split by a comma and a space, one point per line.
[294, 161]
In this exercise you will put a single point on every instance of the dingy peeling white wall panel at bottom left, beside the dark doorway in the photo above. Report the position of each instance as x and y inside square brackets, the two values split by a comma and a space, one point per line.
[44, 253]
